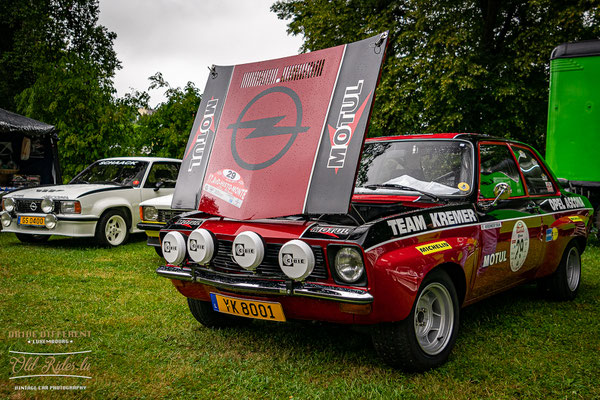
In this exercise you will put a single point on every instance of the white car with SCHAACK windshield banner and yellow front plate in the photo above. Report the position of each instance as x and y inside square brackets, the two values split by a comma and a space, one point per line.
[101, 202]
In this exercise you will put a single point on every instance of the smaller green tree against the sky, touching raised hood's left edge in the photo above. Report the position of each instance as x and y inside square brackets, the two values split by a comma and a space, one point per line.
[164, 132]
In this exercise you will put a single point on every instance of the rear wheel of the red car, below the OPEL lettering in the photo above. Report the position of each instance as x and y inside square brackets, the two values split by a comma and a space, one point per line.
[564, 282]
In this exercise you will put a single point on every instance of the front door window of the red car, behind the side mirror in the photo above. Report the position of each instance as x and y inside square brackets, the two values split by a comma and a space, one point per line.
[498, 165]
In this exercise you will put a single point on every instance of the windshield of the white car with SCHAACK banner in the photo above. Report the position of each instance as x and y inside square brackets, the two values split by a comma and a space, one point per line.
[118, 172]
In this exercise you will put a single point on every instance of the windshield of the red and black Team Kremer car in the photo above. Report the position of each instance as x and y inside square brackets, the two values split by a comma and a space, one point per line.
[437, 167]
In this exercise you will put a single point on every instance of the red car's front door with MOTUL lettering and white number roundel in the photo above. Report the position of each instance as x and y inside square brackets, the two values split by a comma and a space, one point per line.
[511, 232]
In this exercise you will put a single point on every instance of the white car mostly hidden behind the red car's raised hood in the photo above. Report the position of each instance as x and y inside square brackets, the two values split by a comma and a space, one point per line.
[155, 213]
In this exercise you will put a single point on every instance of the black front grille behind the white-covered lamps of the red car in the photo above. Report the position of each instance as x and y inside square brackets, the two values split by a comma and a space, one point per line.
[269, 268]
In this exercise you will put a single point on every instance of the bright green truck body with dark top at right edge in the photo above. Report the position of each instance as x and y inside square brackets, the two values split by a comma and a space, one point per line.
[573, 136]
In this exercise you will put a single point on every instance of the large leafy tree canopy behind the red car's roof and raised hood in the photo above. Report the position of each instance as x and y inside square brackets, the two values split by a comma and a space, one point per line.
[455, 66]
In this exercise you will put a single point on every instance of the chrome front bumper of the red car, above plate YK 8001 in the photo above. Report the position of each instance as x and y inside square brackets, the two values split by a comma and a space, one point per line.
[243, 285]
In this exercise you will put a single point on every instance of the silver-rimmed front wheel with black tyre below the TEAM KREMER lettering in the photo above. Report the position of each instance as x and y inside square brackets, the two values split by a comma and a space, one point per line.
[426, 337]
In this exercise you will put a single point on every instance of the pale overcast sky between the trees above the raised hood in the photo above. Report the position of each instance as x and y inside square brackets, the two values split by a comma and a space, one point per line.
[182, 38]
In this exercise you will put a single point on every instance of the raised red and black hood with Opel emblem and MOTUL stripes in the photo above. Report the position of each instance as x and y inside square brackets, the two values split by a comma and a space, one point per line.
[281, 137]
